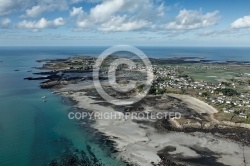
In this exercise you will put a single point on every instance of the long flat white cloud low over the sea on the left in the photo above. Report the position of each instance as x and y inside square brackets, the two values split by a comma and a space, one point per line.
[41, 24]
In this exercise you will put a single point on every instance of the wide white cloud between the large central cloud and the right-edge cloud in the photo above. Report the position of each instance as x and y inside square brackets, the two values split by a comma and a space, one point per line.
[192, 19]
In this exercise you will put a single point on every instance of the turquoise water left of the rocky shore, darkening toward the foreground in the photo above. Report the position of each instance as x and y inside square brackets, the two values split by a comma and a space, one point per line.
[32, 132]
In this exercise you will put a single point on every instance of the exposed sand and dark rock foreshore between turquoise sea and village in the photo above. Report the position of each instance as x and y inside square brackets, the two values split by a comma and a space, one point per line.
[151, 142]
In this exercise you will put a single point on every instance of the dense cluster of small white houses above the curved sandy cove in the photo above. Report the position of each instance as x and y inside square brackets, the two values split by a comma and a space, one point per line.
[170, 78]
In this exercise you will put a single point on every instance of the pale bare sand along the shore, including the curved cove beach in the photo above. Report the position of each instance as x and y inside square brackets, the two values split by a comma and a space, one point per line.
[140, 145]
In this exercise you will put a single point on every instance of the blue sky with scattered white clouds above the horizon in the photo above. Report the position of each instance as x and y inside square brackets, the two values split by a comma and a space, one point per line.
[224, 23]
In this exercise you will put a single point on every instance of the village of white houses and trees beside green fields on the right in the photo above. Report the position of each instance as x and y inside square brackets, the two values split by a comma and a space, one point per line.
[228, 96]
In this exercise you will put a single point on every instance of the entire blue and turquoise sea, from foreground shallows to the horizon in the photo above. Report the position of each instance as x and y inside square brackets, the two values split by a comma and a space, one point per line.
[33, 132]
